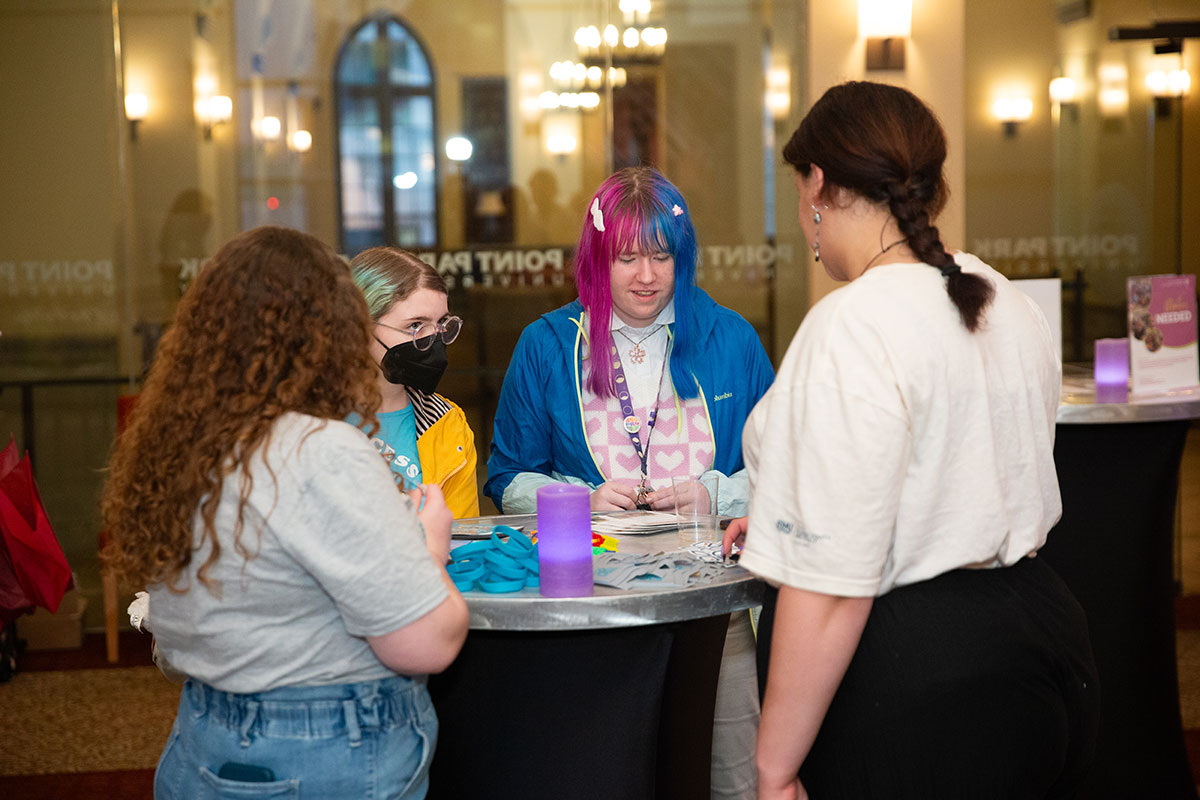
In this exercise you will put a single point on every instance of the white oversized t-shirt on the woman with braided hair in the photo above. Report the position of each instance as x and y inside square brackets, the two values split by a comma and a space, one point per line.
[896, 446]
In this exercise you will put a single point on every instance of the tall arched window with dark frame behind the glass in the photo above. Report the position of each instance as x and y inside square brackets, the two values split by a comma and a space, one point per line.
[387, 167]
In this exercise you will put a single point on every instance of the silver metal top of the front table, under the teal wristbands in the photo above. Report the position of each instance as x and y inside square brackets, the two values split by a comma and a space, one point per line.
[527, 611]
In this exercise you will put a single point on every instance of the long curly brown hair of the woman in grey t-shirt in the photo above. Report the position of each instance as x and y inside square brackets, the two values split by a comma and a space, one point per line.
[272, 324]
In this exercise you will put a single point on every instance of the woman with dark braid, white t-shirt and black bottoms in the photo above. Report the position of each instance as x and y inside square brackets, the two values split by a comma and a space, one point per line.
[902, 482]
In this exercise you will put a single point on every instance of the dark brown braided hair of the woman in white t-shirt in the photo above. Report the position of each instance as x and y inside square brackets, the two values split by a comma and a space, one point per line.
[884, 143]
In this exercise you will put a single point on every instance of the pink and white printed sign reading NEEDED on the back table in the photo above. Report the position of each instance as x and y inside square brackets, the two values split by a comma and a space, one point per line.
[1163, 334]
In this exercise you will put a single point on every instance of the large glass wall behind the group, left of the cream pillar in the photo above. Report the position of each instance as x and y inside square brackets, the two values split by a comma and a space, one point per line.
[471, 133]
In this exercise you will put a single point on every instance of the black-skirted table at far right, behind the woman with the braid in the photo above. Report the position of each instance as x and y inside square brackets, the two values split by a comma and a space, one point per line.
[1119, 471]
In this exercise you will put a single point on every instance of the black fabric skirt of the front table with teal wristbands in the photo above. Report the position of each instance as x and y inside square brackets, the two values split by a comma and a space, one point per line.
[613, 714]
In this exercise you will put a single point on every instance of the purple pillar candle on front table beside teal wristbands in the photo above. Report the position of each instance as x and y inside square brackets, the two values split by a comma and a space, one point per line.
[565, 540]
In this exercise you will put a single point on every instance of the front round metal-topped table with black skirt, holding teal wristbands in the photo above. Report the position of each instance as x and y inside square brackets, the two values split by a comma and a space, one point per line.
[604, 697]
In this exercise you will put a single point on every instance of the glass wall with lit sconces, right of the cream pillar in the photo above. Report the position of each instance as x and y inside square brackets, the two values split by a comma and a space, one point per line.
[1082, 143]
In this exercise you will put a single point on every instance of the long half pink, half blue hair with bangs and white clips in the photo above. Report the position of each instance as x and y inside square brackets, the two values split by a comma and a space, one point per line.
[638, 207]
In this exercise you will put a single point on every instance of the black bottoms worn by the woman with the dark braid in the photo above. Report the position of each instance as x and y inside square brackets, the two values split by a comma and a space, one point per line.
[975, 684]
